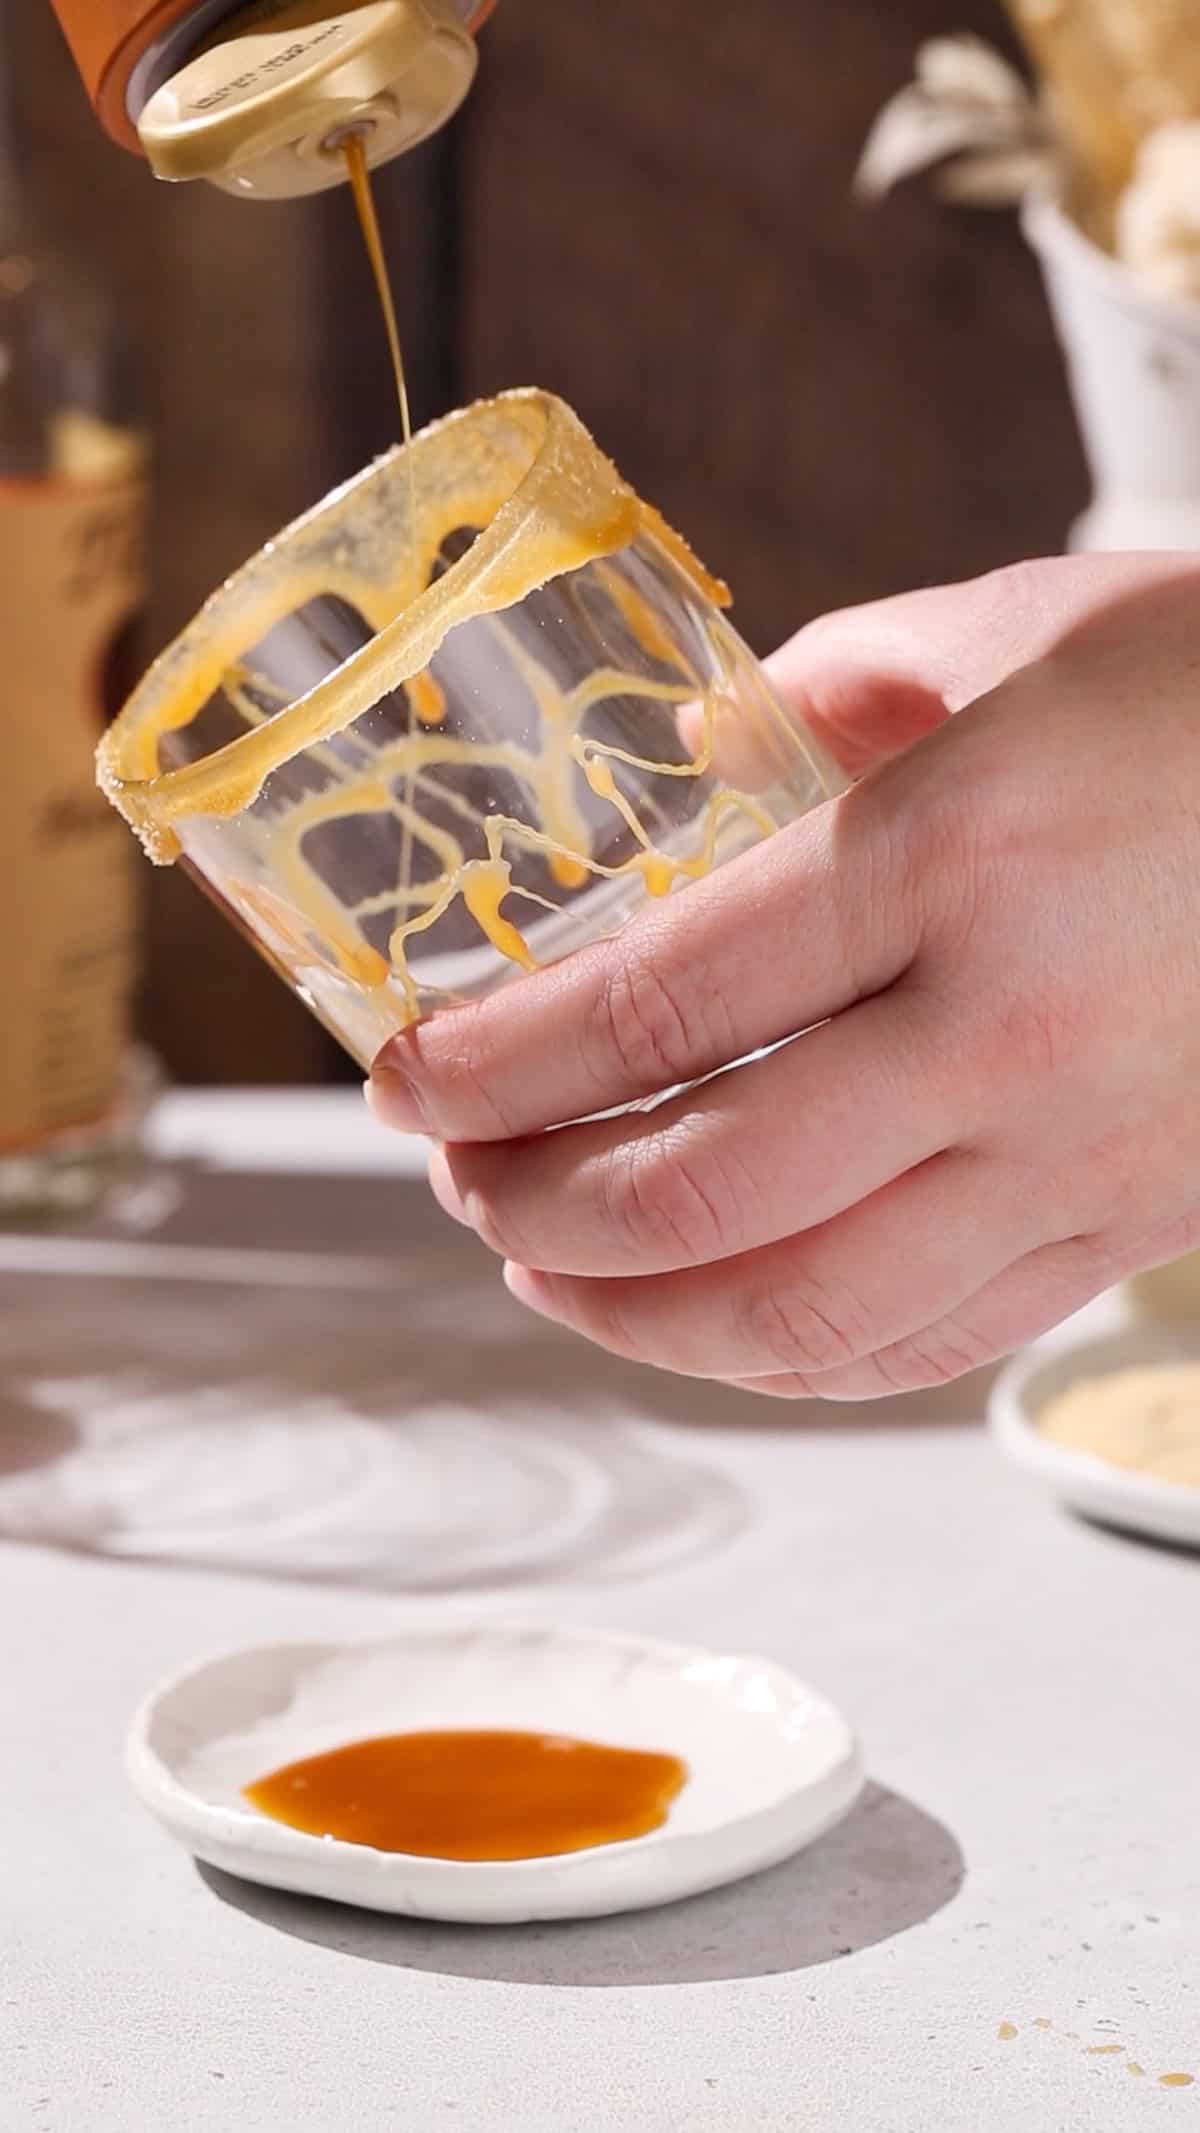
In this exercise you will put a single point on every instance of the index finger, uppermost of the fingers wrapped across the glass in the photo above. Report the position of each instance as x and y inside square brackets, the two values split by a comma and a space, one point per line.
[798, 929]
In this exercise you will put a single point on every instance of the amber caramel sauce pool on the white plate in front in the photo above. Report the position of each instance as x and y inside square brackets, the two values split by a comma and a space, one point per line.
[474, 1795]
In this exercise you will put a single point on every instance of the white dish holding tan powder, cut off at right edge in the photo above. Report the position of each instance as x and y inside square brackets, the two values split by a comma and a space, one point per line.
[1024, 1390]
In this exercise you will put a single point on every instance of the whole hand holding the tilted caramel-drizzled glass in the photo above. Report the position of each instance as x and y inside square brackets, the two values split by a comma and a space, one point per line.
[994, 948]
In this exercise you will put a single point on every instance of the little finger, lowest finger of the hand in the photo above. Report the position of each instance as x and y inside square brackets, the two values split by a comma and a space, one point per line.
[1031, 1298]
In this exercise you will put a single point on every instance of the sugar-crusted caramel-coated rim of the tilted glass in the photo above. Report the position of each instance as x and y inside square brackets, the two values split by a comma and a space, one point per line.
[566, 507]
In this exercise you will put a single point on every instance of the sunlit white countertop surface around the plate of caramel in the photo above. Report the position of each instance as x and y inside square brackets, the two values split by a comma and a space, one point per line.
[1028, 1699]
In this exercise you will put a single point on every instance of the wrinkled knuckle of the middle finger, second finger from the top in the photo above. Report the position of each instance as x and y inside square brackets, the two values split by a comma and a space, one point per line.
[672, 1200]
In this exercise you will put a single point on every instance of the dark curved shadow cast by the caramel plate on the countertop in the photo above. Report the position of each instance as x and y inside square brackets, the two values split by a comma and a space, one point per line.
[881, 1872]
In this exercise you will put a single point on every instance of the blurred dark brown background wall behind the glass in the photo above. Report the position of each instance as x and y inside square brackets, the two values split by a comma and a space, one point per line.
[647, 208]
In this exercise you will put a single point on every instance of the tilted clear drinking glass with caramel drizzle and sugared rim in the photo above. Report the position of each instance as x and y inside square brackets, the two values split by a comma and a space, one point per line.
[468, 716]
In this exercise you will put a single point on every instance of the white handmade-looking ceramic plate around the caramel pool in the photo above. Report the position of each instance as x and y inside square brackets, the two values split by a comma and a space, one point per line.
[771, 1765]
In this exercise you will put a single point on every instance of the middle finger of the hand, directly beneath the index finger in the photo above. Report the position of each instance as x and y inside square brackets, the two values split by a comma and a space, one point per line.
[779, 1146]
